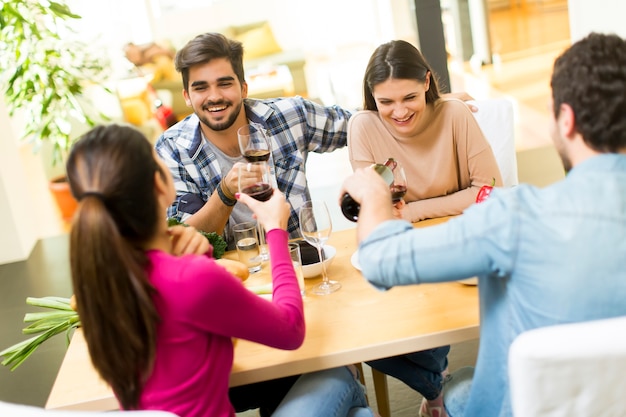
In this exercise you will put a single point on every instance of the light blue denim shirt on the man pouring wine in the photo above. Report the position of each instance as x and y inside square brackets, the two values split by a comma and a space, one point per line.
[543, 257]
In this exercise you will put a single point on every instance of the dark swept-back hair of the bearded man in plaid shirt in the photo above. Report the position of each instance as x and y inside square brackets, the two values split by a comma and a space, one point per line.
[206, 47]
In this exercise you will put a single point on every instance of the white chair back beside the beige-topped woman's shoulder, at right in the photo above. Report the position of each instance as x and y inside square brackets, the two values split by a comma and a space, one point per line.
[497, 121]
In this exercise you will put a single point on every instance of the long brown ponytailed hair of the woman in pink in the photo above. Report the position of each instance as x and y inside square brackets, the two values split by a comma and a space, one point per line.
[111, 172]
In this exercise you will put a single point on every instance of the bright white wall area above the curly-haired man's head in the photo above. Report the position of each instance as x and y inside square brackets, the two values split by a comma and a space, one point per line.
[596, 16]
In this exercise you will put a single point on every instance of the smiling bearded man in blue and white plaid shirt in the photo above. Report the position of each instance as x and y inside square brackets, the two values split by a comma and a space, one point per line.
[203, 153]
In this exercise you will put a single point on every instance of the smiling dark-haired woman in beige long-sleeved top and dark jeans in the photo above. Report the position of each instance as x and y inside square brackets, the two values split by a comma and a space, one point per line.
[446, 159]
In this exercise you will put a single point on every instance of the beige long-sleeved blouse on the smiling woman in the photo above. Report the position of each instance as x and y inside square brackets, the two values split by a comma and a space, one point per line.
[446, 162]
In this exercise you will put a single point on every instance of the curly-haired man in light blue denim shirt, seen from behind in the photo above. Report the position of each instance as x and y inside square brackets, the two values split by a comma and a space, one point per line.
[543, 256]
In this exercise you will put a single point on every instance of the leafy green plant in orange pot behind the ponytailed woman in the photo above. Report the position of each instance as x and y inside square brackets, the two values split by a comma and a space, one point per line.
[45, 74]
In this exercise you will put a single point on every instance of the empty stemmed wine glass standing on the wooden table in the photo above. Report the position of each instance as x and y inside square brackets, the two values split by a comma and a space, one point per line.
[316, 225]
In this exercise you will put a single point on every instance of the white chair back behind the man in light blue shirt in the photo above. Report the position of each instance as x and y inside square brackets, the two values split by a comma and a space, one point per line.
[570, 370]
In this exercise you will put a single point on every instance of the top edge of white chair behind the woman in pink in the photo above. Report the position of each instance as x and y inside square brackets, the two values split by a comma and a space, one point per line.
[20, 410]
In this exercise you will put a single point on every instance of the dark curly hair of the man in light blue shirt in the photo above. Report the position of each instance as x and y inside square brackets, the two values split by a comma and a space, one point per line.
[590, 76]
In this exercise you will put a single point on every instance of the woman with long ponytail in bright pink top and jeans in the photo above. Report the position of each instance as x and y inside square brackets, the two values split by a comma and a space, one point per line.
[157, 311]
